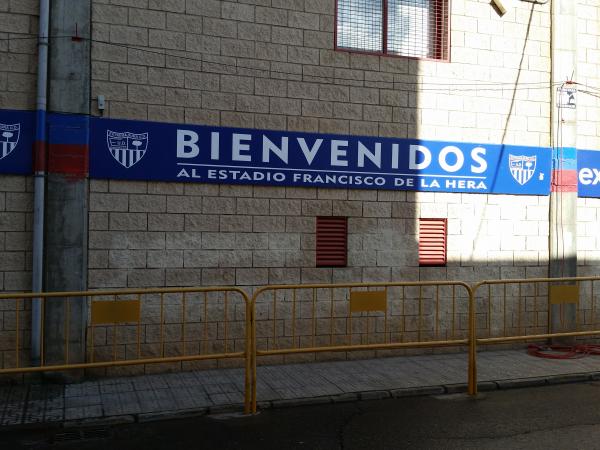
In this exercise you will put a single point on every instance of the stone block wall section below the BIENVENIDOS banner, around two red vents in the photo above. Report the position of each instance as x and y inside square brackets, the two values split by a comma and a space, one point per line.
[145, 234]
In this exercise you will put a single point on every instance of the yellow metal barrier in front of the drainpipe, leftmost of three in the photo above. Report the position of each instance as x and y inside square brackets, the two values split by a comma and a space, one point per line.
[136, 327]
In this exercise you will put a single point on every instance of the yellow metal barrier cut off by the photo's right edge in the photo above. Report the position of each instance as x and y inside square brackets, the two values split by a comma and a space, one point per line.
[534, 309]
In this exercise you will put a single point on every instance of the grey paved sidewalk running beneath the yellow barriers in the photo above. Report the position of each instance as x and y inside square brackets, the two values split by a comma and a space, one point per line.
[155, 397]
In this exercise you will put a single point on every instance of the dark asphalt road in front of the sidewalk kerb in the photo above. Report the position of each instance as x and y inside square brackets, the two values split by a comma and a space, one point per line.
[553, 417]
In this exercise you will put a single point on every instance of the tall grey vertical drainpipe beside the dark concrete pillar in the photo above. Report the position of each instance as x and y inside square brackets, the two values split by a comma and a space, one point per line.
[39, 183]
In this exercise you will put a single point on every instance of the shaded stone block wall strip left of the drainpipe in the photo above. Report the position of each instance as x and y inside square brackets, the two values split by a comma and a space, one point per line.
[18, 77]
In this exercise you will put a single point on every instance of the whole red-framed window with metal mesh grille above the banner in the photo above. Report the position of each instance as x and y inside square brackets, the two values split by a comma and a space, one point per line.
[414, 28]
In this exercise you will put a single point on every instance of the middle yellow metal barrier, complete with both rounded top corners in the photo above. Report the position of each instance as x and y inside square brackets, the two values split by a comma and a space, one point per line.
[317, 318]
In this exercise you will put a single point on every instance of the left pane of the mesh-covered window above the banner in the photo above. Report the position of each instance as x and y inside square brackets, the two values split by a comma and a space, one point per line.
[360, 25]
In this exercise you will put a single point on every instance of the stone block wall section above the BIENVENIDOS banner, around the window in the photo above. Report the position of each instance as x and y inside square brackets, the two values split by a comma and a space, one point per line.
[272, 65]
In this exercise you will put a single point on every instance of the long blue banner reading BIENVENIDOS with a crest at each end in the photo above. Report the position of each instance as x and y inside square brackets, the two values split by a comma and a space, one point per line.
[134, 150]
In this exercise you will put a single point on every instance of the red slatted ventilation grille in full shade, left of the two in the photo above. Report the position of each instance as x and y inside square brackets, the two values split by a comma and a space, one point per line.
[332, 242]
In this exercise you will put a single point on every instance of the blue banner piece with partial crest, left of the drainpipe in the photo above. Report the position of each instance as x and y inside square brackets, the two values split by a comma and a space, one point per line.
[17, 134]
